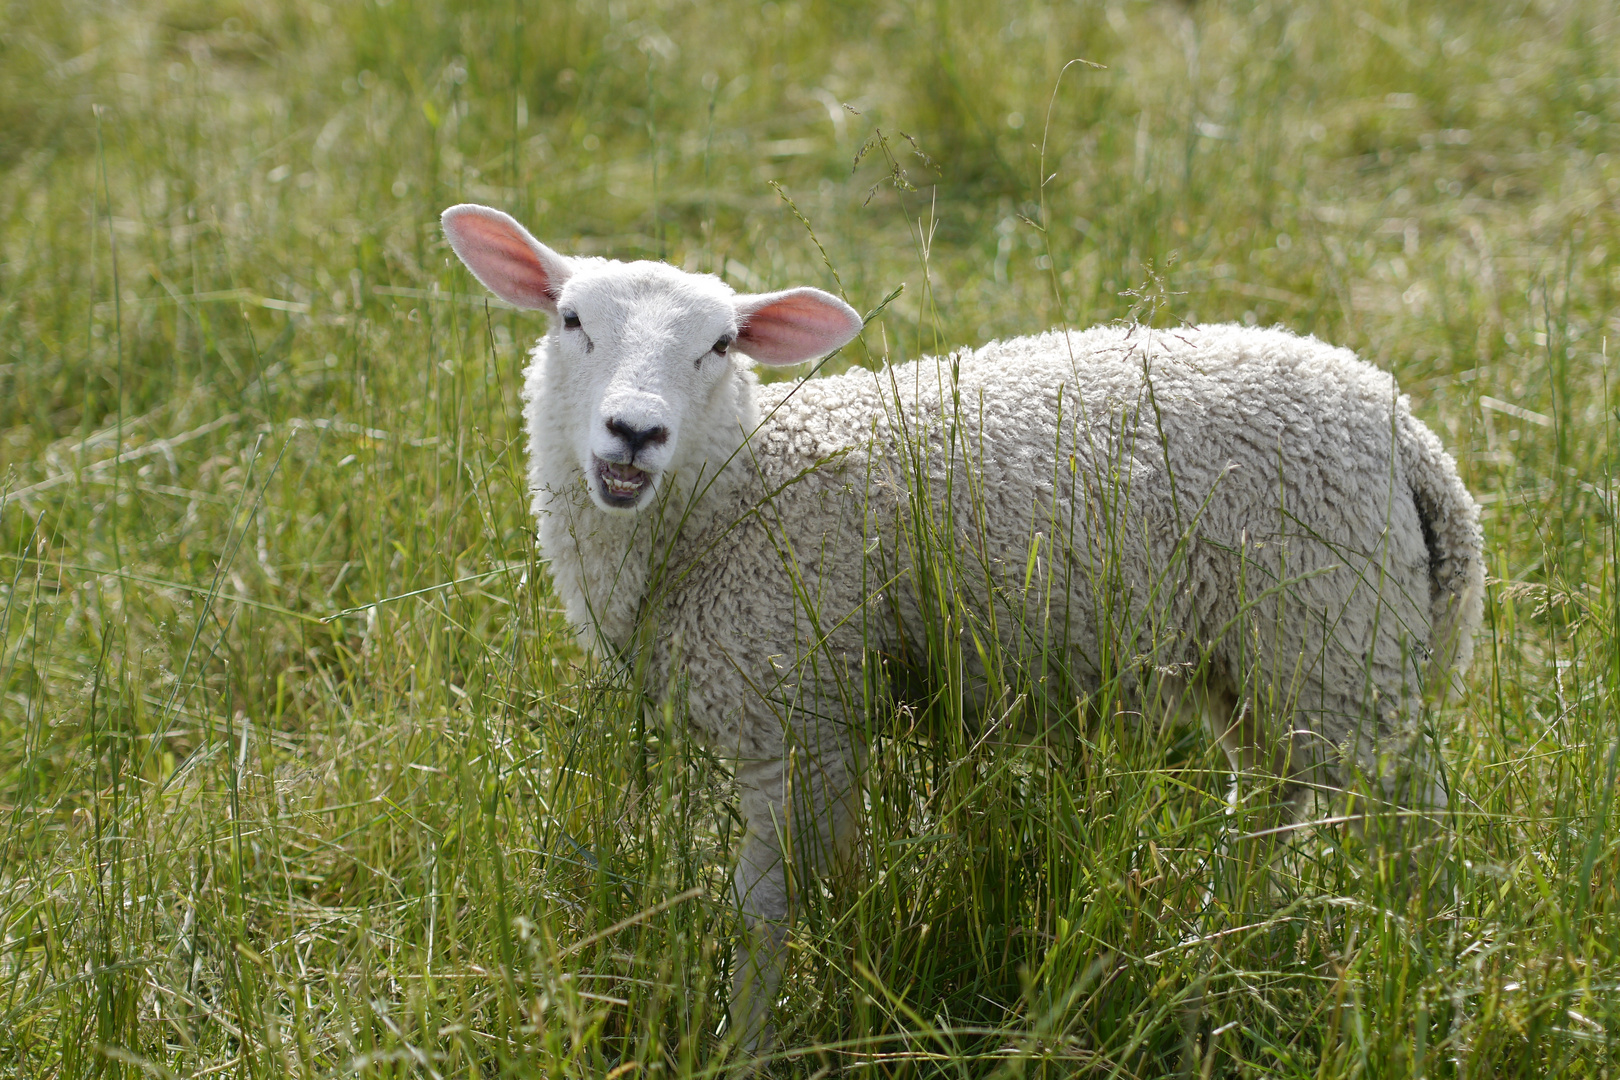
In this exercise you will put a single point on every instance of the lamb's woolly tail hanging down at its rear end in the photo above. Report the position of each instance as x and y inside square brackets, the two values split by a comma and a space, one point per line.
[1451, 532]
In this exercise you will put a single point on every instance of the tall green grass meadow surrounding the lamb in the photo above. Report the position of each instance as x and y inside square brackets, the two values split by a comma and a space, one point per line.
[301, 772]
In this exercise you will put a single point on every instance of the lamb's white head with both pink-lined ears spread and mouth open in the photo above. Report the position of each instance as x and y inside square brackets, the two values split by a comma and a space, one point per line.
[646, 347]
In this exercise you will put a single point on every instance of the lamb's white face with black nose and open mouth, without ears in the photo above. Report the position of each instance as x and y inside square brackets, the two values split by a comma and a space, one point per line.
[644, 349]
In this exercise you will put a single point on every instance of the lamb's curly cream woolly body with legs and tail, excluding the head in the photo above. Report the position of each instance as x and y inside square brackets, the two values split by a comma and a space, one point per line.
[1260, 512]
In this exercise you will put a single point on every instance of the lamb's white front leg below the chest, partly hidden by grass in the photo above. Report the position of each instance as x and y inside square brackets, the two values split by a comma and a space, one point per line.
[801, 820]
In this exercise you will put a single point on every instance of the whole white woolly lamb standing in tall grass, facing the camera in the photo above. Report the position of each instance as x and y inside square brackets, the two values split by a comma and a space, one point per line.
[1230, 521]
